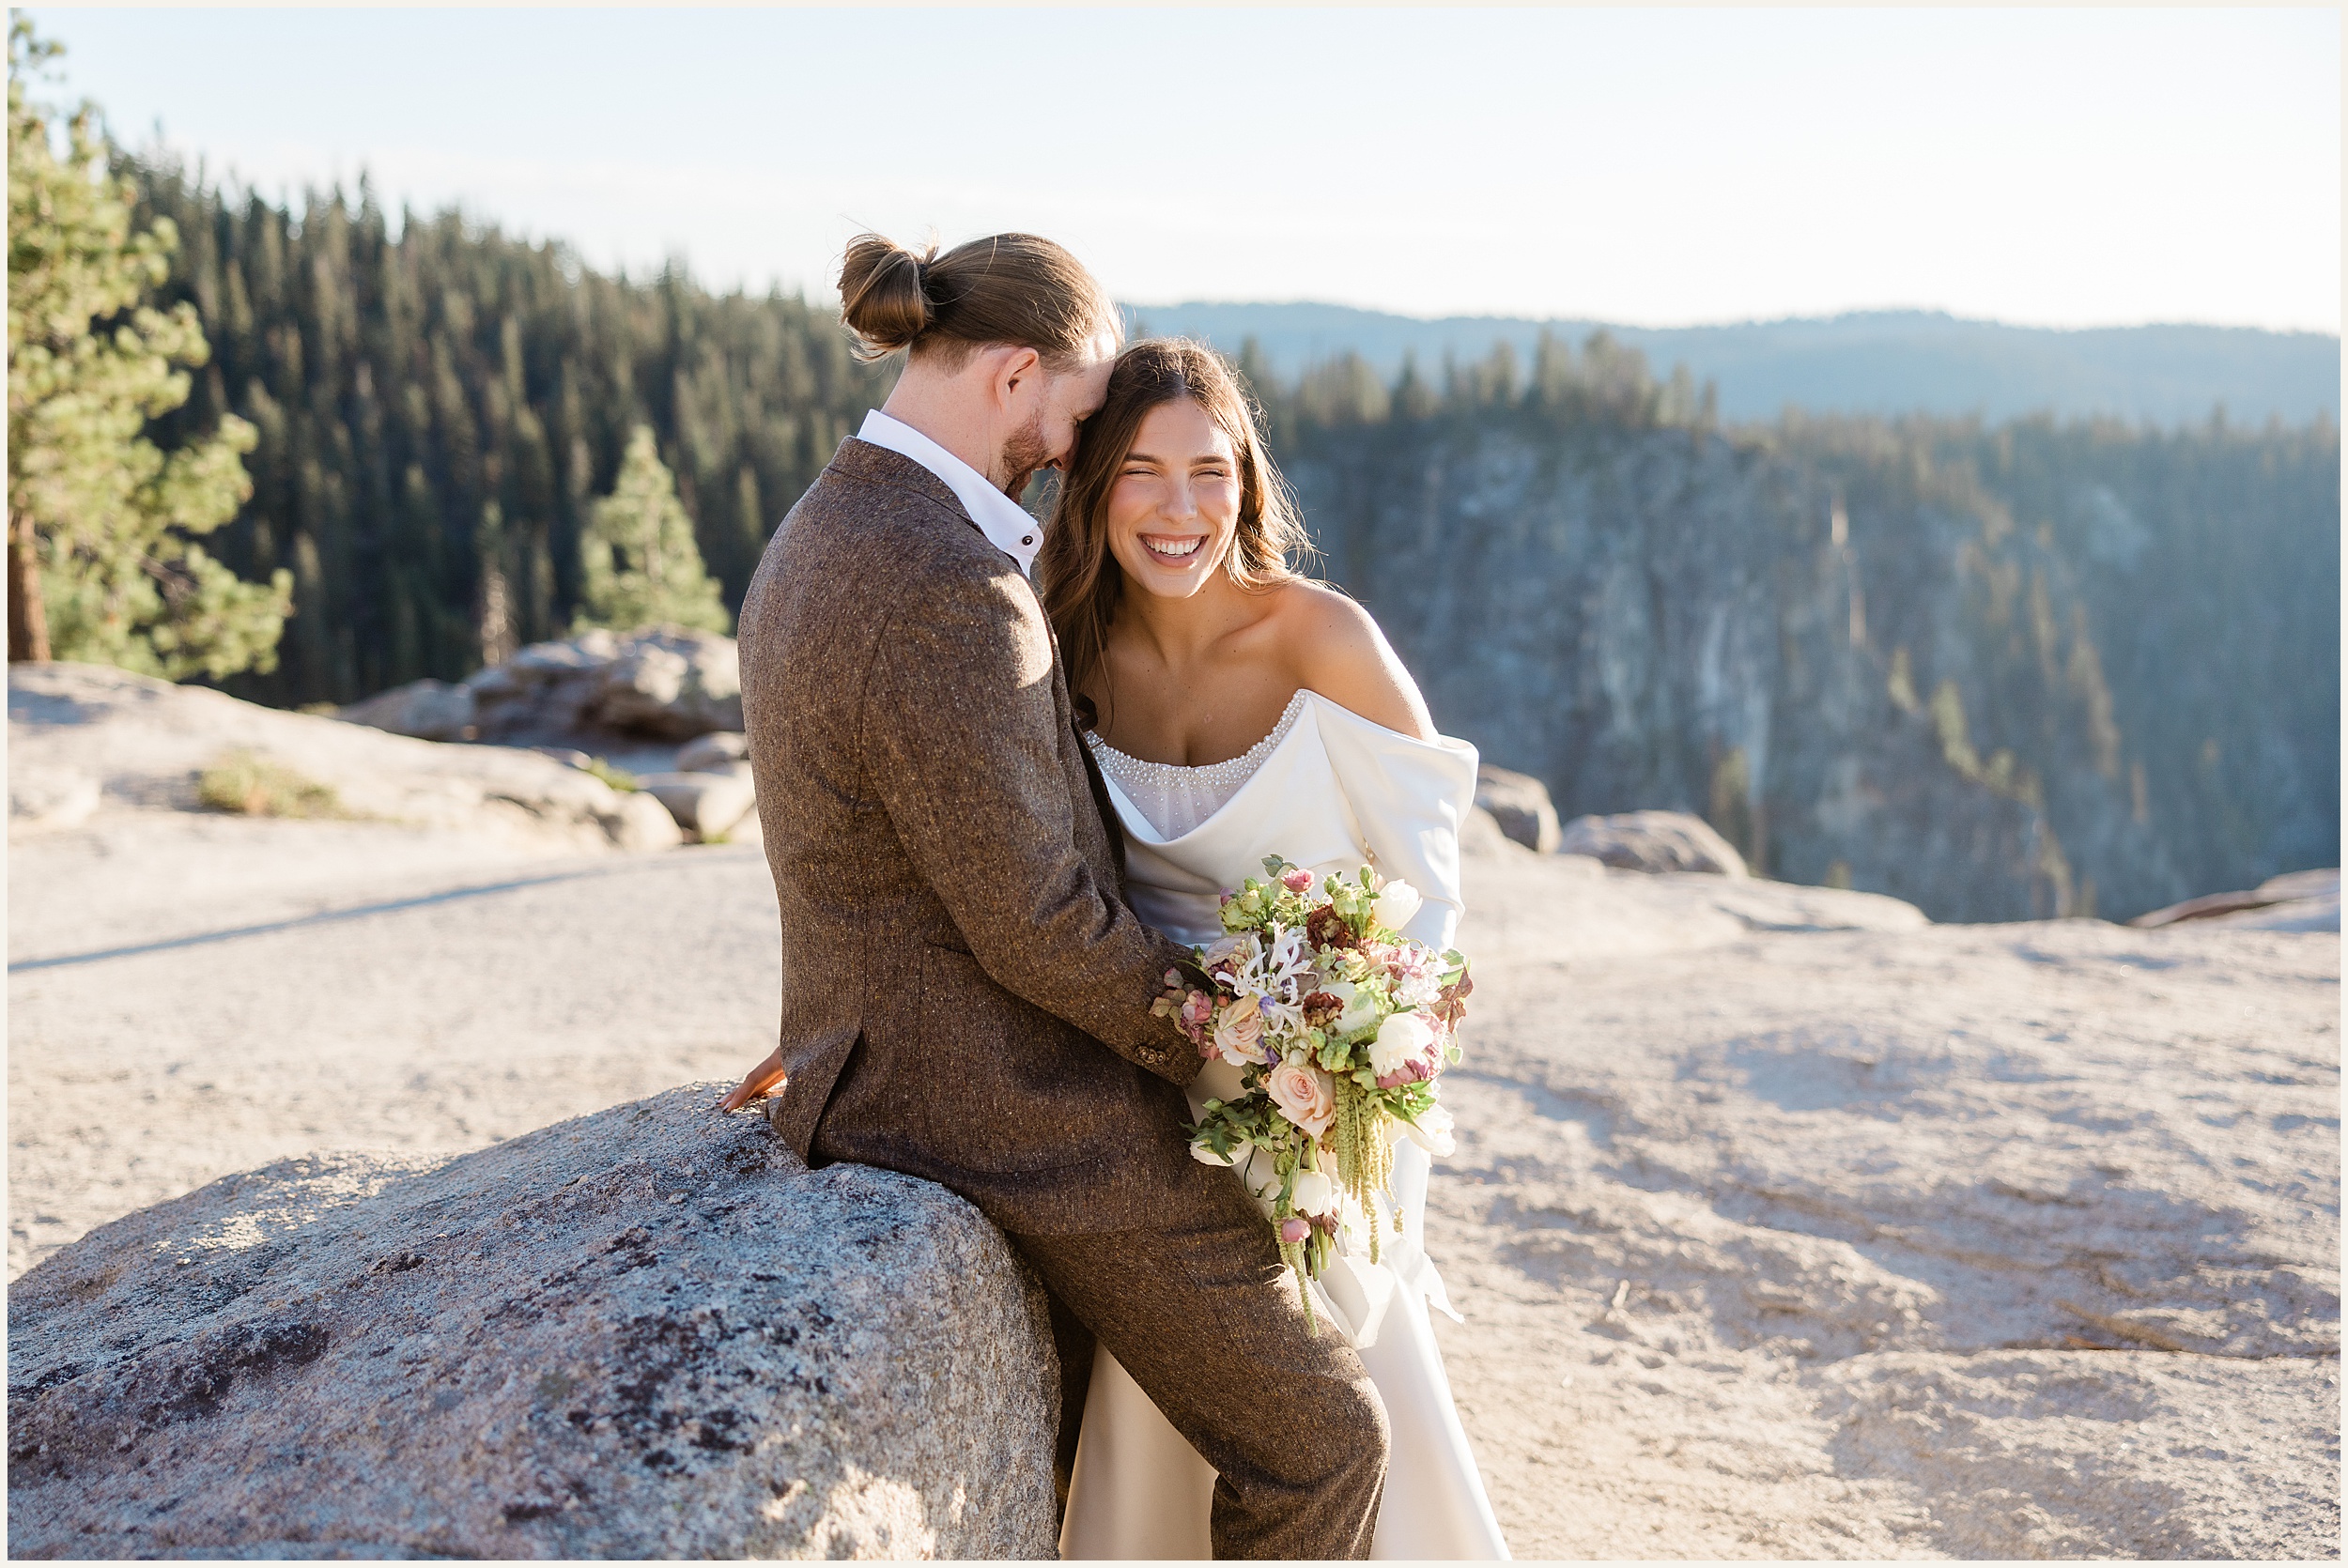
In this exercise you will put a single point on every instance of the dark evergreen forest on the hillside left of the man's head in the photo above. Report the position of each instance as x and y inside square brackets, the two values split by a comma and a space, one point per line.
[438, 414]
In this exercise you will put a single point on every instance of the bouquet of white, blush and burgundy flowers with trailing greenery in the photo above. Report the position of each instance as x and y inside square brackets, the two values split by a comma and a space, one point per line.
[1340, 1027]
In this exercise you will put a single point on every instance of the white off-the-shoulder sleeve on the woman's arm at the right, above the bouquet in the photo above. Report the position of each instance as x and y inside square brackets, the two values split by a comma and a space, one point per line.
[1410, 799]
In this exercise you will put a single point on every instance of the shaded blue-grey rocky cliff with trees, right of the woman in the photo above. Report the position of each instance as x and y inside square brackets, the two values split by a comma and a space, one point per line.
[1997, 673]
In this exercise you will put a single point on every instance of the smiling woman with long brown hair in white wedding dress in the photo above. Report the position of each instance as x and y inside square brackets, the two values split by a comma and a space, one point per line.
[1239, 710]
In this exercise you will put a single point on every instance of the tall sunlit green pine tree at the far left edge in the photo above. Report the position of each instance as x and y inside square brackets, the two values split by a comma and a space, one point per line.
[104, 562]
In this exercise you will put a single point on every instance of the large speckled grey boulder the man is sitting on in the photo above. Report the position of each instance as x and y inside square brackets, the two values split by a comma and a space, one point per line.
[647, 1332]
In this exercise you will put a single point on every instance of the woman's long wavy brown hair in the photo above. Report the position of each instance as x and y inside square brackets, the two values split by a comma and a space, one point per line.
[1079, 574]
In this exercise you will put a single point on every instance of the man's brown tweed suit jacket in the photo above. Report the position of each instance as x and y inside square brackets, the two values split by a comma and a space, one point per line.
[964, 992]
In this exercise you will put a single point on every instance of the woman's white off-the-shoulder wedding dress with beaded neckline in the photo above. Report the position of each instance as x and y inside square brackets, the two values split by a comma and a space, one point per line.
[1330, 792]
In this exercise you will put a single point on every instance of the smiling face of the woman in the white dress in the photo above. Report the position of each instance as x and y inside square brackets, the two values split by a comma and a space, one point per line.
[1175, 503]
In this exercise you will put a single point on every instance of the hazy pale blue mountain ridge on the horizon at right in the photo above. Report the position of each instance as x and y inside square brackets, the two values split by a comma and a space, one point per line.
[1863, 363]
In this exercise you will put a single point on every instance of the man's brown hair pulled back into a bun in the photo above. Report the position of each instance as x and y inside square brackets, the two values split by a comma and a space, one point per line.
[1001, 290]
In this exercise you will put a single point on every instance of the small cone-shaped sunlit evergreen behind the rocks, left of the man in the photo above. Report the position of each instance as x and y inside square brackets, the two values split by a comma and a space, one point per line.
[637, 557]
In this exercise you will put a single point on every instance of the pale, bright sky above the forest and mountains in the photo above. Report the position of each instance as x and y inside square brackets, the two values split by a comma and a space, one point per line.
[1638, 165]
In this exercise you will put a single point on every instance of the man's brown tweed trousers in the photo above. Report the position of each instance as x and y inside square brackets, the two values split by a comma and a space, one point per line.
[1208, 1320]
